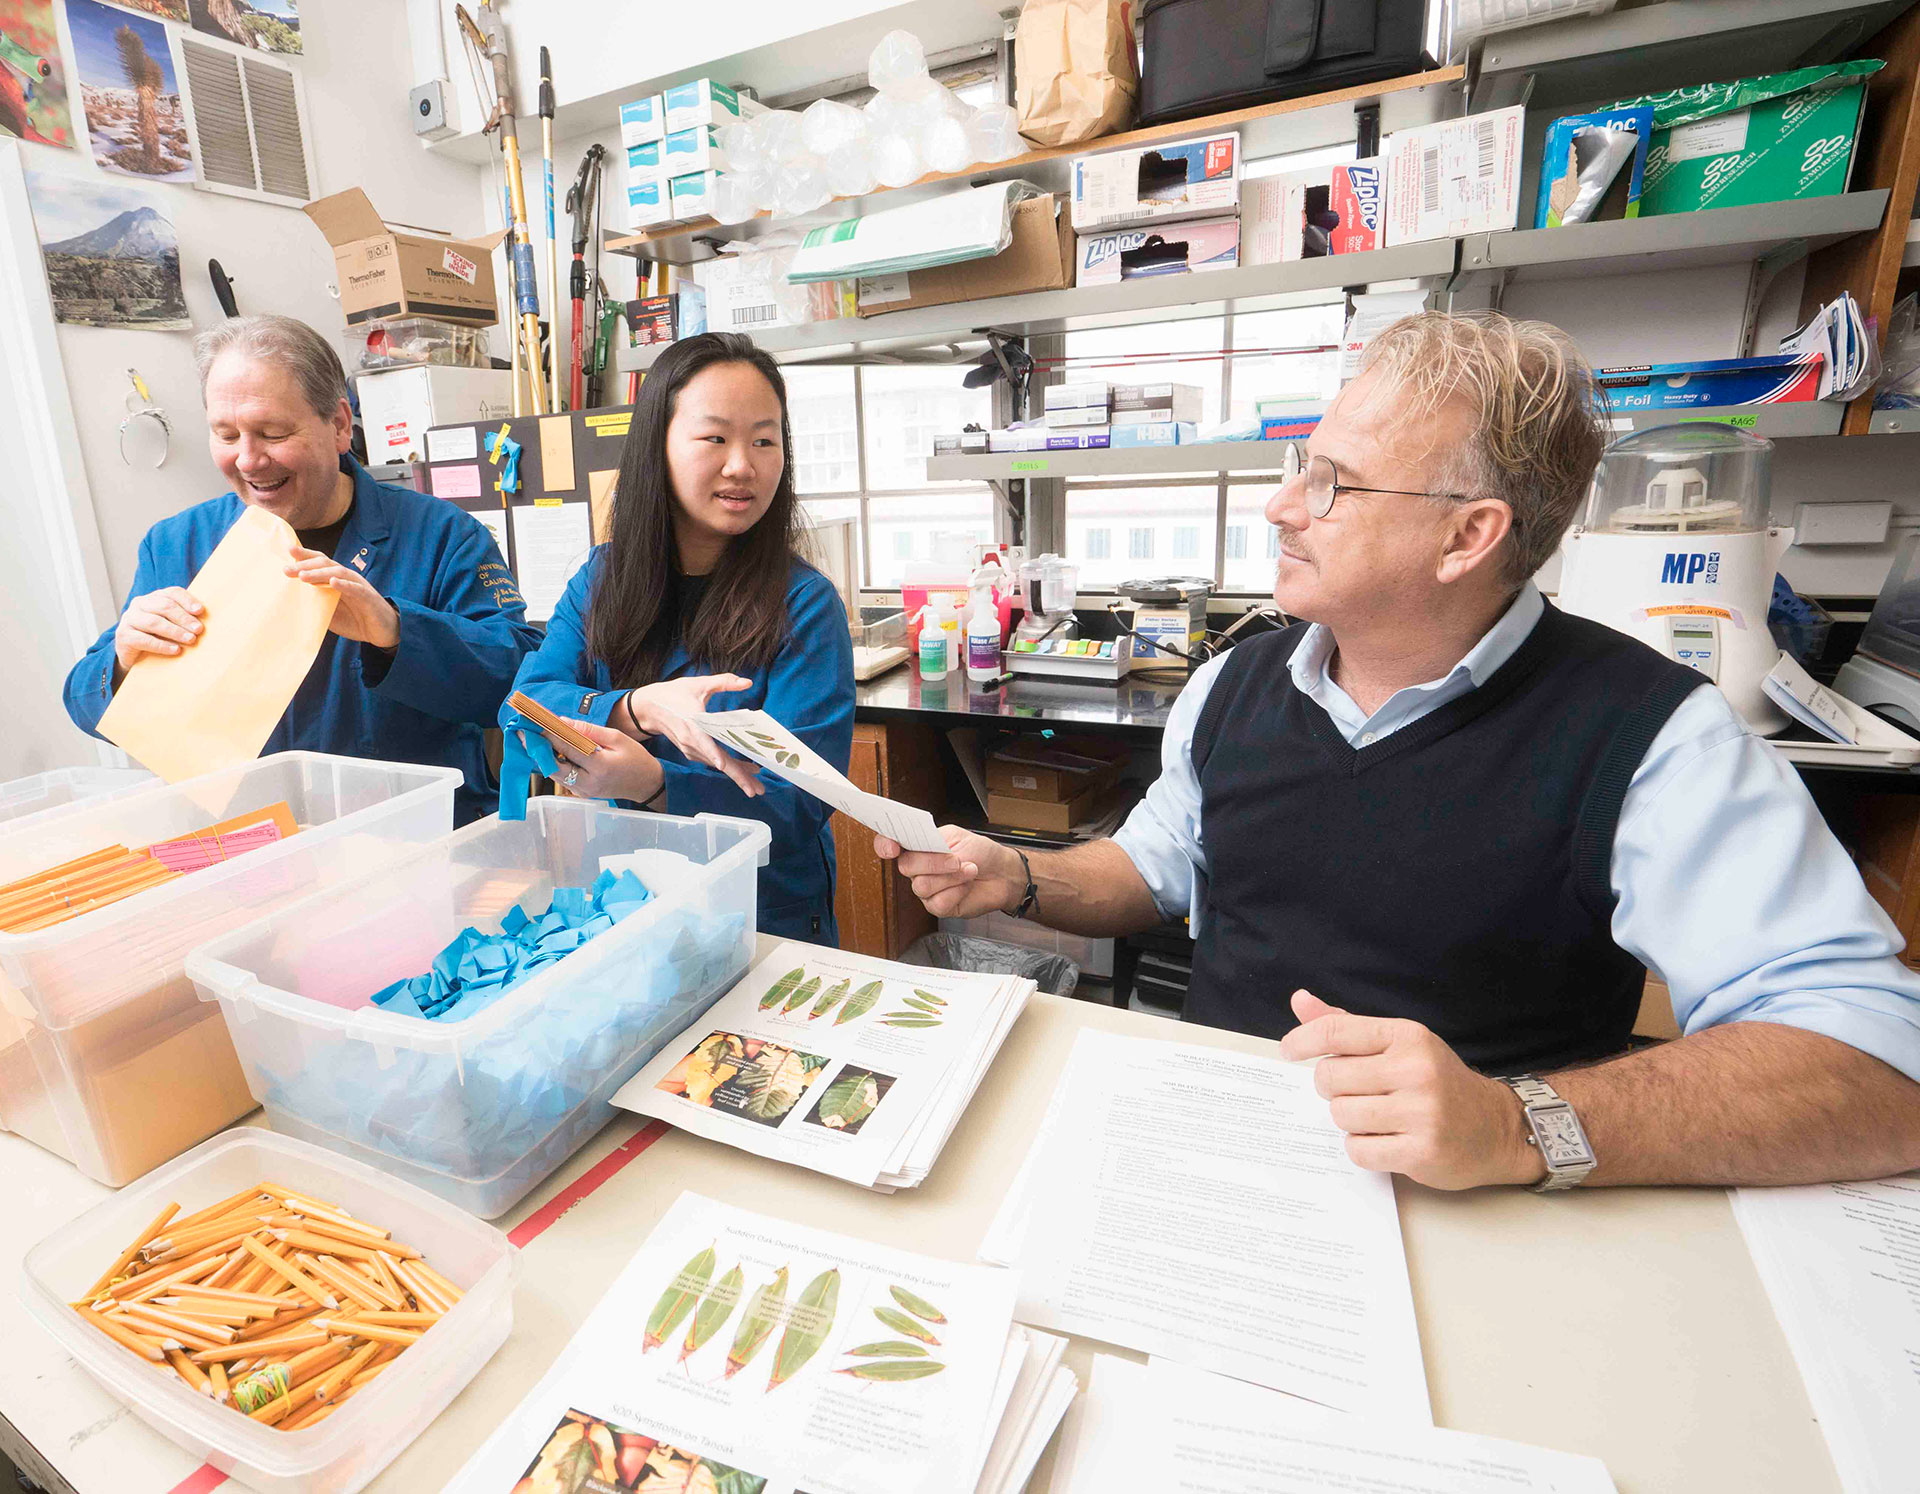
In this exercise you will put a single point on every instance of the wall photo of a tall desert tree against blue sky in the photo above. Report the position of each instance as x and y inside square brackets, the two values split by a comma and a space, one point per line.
[130, 93]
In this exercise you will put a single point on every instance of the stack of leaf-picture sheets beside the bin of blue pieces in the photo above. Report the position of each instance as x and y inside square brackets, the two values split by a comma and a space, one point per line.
[852, 1067]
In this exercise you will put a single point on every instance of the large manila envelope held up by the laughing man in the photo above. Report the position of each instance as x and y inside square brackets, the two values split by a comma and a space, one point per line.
[216, 704]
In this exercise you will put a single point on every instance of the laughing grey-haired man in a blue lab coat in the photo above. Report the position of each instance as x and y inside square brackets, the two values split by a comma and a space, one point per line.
[429, 629]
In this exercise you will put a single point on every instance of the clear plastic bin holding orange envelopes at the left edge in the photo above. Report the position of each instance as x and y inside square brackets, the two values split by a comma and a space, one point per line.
[107, 1053]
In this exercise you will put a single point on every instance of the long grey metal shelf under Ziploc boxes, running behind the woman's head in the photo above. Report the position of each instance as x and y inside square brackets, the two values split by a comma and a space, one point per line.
[961, 327]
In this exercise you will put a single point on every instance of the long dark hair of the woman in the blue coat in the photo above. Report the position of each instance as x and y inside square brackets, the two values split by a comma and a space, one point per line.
[742, 619]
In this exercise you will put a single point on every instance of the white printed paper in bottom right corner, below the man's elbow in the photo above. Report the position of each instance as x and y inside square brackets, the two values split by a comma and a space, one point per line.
[1842, 1266]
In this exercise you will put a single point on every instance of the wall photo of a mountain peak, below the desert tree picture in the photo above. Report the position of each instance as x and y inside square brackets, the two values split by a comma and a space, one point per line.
[112, 256]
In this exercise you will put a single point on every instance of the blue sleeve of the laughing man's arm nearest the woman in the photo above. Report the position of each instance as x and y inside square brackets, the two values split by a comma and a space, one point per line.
[458, 650]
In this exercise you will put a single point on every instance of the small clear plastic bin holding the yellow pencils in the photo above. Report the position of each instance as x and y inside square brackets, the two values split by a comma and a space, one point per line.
[348, 1449]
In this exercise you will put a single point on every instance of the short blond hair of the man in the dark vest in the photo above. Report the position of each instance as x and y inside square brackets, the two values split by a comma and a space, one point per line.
[1537, 418]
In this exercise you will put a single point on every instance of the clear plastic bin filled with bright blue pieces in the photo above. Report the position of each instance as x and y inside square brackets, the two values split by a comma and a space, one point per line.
[483, 1111]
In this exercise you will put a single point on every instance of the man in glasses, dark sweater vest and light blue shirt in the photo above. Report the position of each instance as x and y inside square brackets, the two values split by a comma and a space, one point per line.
[1437, 832]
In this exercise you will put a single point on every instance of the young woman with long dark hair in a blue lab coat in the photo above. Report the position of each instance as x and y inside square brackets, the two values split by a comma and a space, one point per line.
[700, 596]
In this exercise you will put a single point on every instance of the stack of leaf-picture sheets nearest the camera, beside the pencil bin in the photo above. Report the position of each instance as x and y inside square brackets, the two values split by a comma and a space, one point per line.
[752, 1357]
